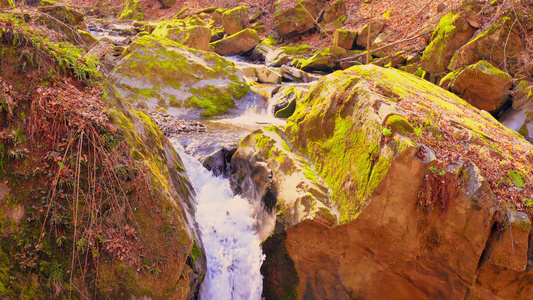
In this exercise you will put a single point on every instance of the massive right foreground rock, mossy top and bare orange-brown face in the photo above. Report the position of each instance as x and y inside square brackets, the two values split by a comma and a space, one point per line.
[424, 192]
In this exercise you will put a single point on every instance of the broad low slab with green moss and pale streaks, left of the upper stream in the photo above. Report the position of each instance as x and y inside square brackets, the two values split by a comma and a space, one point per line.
[166, 74]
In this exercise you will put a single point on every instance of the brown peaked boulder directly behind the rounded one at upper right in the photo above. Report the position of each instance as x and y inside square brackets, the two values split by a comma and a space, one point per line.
[500, 45]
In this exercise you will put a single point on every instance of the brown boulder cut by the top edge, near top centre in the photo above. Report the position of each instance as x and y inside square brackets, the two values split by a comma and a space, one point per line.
[297, 17]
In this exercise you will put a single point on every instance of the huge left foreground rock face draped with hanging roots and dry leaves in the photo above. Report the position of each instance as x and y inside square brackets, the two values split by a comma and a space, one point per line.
[94, 199]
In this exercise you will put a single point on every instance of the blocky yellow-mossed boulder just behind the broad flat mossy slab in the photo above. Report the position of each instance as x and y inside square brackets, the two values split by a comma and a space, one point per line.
[193, 36]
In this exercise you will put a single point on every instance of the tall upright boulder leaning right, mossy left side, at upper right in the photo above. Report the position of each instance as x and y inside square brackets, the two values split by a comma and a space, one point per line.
[452, 32]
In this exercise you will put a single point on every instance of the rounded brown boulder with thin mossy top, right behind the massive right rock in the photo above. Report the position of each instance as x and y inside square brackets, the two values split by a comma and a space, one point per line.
[483, 86]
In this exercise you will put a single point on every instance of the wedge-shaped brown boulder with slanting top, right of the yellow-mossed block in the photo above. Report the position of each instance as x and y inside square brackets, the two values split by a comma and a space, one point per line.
[237, 44]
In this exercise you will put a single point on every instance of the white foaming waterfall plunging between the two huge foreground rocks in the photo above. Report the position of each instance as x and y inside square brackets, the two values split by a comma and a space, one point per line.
[228, 230]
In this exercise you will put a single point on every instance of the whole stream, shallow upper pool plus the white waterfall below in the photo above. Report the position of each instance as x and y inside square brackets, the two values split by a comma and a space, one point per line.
[227, 222]
